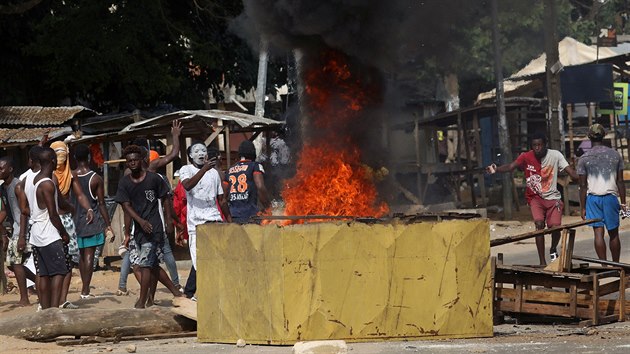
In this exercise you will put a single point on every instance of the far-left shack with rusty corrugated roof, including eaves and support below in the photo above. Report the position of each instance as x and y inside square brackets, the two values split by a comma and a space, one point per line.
[23, 126]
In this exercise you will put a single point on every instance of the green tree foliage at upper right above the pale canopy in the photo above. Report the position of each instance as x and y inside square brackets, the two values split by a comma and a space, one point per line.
[522, 36]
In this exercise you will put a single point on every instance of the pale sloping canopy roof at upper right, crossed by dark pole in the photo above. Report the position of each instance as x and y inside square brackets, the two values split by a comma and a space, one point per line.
[571, 52]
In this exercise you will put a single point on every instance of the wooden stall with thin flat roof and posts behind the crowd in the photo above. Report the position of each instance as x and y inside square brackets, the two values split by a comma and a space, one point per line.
[226, 129]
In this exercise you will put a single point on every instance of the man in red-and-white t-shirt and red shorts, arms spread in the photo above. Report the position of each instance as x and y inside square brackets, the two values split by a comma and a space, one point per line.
[541, 166]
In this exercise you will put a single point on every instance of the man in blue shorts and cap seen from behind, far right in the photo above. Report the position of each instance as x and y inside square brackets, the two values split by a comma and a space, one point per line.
[600, 173]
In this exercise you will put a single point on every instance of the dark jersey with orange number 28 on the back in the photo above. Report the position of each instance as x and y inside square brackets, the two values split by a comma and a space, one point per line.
[242, 191]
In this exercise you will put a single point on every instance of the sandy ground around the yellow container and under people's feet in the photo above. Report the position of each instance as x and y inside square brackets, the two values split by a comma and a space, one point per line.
[611, 338]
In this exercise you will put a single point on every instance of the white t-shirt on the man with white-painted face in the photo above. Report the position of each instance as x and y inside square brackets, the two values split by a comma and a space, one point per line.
[202, 198]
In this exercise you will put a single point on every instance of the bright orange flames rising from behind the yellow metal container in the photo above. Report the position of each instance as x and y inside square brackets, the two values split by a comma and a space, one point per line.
[330, 178]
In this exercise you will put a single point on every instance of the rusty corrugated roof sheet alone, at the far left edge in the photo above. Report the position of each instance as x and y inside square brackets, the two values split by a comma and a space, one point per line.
[38, 116]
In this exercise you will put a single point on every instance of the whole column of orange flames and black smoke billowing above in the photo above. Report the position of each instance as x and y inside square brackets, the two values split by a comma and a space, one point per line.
[345, 50]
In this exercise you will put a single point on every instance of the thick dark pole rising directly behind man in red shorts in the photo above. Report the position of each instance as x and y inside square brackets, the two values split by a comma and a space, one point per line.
[554, 113]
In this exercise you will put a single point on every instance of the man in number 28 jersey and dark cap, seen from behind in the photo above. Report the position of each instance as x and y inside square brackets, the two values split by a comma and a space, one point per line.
[246, 185]
